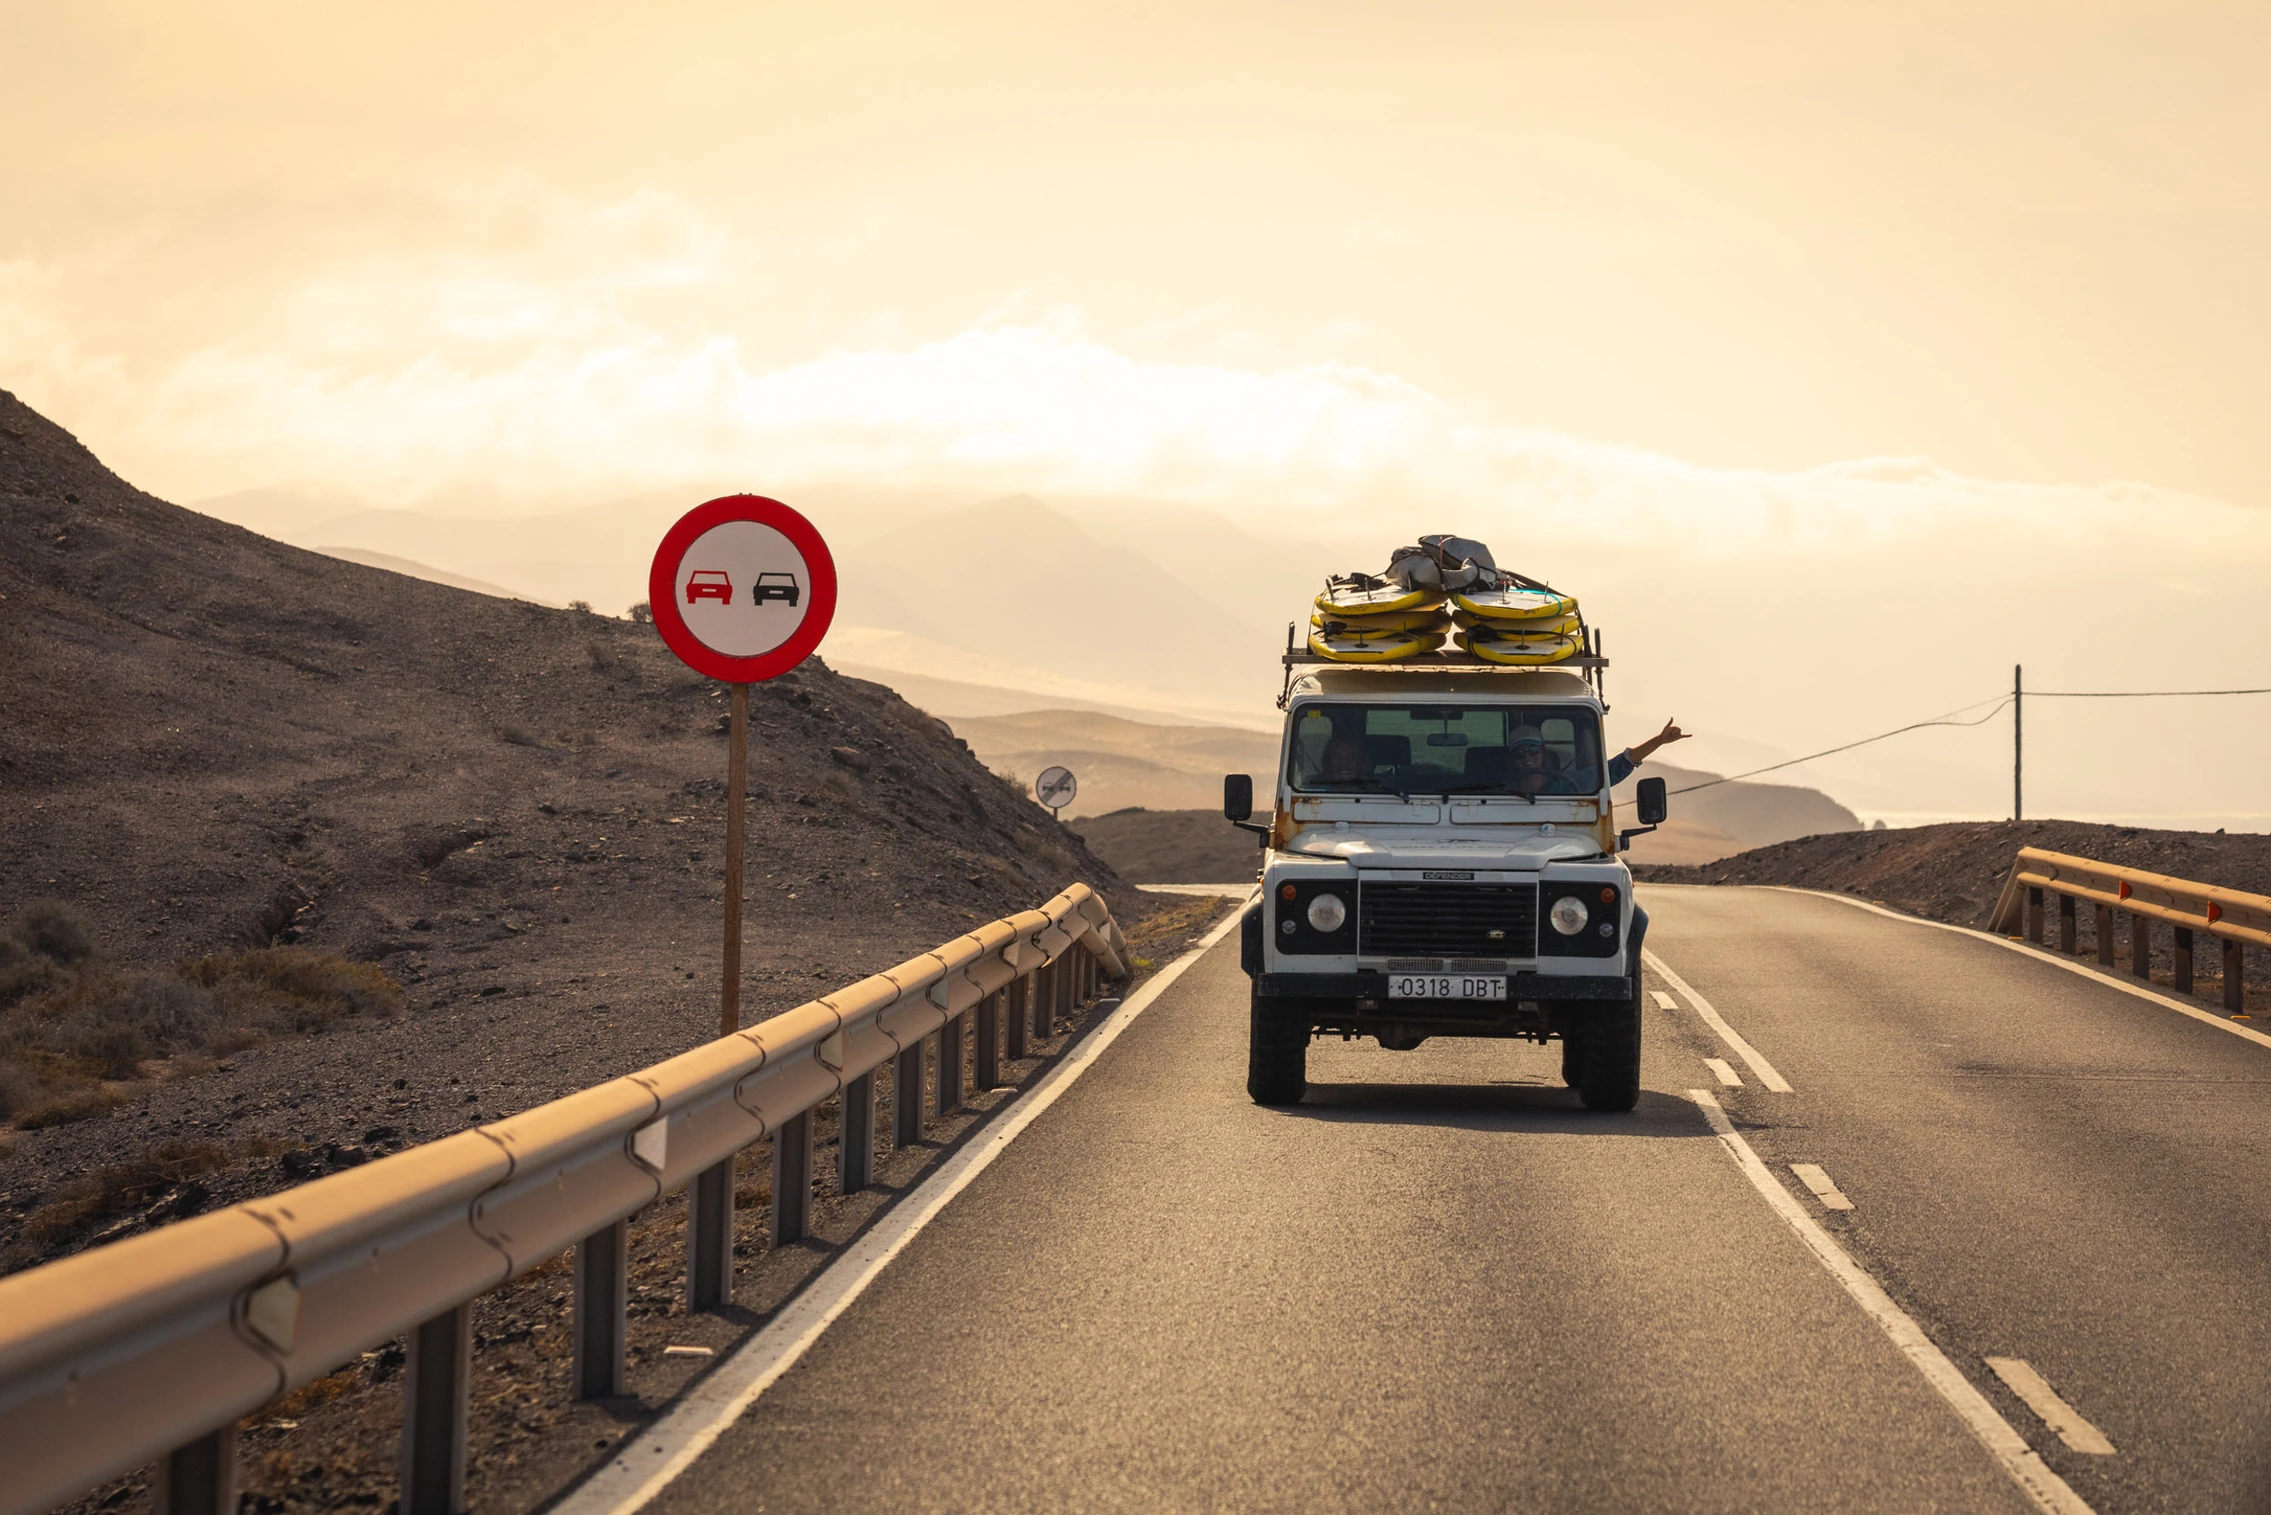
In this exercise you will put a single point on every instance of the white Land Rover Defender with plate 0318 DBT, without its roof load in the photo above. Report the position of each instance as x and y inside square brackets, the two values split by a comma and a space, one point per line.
[1443, 862]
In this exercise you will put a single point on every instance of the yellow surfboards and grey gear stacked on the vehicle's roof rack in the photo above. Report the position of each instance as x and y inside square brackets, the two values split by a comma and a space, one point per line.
[1445, 589]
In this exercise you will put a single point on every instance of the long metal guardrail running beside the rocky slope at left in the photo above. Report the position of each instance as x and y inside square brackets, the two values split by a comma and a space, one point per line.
[158, 1346]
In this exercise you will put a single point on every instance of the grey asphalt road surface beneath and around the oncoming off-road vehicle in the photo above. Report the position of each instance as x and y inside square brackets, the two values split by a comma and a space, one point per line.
[1443, 1287]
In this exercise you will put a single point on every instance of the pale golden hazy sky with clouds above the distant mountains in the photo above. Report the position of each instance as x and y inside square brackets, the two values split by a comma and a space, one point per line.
[1266, 251]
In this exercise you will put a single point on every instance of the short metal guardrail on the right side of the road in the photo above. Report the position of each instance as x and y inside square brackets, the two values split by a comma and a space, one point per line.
[2231, 916]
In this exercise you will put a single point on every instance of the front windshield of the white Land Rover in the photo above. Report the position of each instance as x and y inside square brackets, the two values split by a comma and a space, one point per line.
[1445, 751]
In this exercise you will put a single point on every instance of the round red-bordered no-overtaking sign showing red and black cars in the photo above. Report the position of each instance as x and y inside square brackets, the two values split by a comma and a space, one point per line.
[744, 589]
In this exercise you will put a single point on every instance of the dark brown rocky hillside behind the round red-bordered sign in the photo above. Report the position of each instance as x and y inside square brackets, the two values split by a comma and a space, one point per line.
[215, 742]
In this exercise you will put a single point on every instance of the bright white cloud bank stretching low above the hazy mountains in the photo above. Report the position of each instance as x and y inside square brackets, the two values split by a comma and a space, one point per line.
[567, 349]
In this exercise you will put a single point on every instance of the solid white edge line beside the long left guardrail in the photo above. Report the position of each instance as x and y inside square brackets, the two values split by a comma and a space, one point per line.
[646, 1464]
